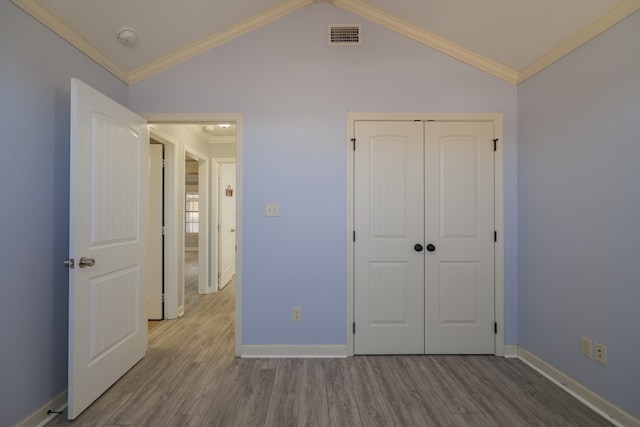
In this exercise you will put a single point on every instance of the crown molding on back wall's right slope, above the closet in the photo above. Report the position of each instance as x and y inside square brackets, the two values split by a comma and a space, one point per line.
[436, 42]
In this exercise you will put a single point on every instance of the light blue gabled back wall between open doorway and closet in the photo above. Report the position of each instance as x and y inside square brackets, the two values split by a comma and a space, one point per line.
[294, 92]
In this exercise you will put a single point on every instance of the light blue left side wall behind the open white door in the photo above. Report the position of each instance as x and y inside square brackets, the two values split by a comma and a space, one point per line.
[35, 71]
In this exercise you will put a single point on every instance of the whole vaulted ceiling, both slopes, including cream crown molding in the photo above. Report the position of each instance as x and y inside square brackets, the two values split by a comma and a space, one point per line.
[511, 39]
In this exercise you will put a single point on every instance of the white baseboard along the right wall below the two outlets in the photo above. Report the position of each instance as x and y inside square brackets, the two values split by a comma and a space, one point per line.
[611, 412]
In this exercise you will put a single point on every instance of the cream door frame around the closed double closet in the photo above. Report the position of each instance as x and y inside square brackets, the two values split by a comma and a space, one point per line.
[496, 118]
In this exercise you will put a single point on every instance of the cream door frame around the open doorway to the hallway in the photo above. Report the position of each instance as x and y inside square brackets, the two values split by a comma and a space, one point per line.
[184, 118]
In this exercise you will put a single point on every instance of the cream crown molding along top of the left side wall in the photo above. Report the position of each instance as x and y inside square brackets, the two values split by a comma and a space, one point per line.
[35, 9]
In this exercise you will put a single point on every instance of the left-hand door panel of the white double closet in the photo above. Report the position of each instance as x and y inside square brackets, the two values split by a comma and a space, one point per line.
[389, 210]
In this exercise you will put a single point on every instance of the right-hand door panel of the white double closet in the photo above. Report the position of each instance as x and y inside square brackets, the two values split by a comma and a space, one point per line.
[459, 204]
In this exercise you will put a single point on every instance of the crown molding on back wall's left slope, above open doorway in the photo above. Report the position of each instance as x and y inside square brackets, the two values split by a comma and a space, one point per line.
[216, 39]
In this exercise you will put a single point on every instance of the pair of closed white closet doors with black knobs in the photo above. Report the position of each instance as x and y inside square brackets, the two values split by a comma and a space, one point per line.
[424, 249]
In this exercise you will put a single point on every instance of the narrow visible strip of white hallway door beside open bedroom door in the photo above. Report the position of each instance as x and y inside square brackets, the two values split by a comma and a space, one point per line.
[154, 286]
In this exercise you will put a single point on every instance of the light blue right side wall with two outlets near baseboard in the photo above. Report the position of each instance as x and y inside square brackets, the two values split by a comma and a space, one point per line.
[579, 212]
